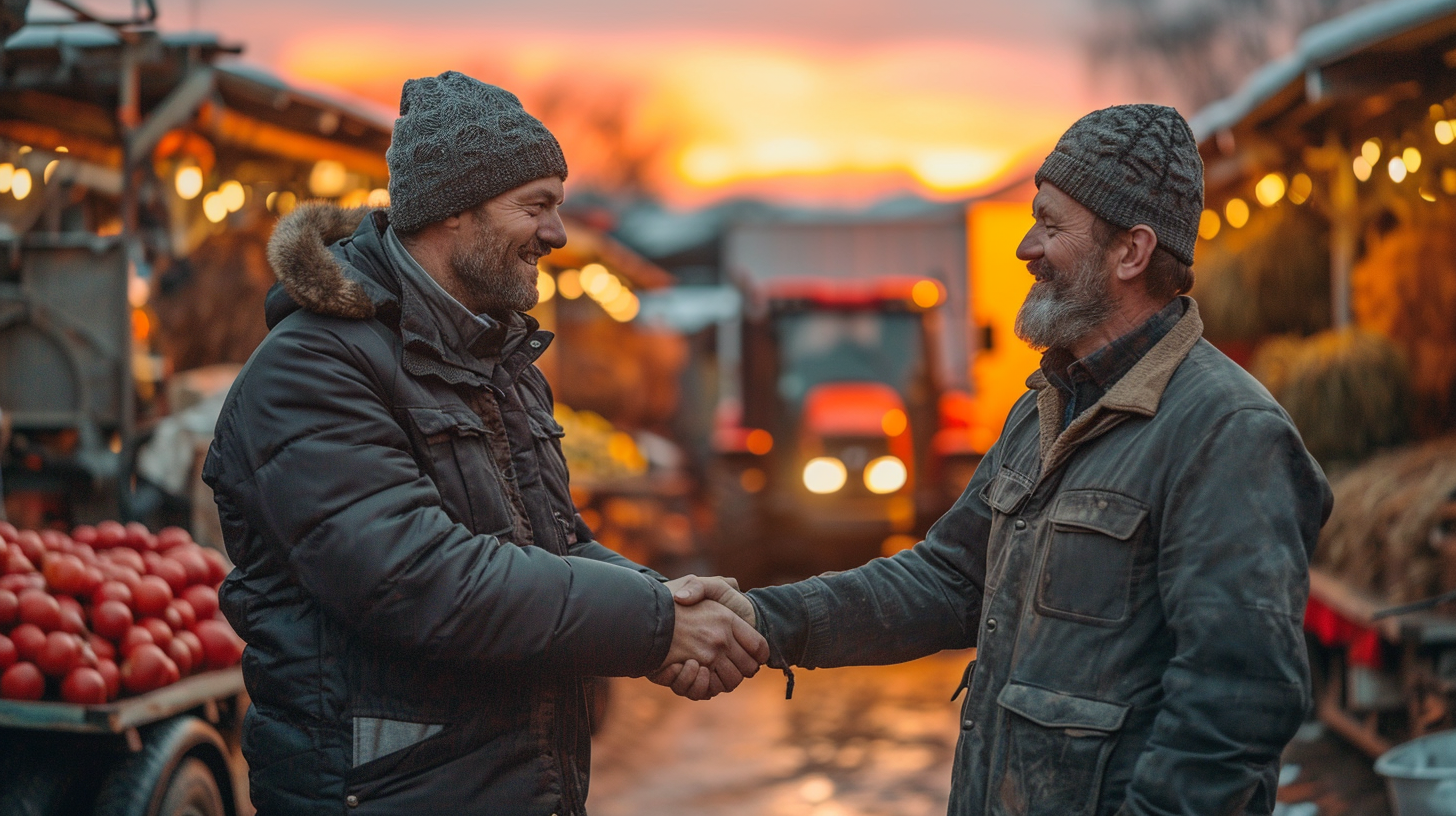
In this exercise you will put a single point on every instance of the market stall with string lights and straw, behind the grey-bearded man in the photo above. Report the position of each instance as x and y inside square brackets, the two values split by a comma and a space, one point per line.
[1326, 266]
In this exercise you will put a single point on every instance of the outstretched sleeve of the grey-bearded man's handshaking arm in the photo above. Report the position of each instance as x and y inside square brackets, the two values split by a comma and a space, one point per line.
[892, 610]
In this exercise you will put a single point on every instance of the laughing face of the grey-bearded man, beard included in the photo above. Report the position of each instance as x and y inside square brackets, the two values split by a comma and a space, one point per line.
[1067, 251]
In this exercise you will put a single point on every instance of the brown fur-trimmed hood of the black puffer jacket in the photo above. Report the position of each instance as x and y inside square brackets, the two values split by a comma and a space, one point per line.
[309, 270]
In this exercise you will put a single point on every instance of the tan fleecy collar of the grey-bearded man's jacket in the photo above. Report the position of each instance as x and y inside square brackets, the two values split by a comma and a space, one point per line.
[1139, 393]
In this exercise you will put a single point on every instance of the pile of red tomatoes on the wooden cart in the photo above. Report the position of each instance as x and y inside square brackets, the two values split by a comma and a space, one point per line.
[108, 611]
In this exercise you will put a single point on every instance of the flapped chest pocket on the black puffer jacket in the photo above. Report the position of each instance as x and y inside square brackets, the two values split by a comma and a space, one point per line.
[458, 460]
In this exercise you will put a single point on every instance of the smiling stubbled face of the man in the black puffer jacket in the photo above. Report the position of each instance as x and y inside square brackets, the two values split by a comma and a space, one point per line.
[496, 256]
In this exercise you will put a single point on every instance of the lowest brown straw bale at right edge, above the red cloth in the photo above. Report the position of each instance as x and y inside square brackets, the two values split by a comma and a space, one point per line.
[1378, 538]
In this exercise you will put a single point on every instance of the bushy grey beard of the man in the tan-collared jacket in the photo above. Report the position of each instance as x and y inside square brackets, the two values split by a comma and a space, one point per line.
[1068, 307]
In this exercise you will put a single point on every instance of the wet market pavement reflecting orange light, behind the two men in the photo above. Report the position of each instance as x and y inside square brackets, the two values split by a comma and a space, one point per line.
[873, 741]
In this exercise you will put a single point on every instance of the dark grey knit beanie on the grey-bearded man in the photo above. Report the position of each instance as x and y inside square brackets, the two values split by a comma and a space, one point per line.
[1133, 165]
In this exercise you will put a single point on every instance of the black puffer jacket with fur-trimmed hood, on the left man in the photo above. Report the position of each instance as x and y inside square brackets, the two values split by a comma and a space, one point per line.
[414, 585]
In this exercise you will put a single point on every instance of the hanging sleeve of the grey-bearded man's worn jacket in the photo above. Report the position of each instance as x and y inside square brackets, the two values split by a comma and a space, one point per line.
[1234, 570]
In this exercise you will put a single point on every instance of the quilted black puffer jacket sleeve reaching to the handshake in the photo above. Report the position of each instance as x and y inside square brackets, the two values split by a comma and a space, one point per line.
[334, 484]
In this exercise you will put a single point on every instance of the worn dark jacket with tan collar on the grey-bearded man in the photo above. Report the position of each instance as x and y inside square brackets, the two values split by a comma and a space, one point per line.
[1135, 586]
